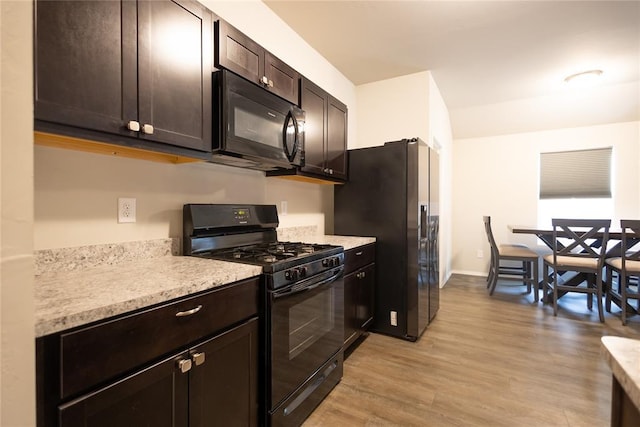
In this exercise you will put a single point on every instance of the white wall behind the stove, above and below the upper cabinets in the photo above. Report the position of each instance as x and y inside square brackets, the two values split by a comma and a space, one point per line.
[76, 193]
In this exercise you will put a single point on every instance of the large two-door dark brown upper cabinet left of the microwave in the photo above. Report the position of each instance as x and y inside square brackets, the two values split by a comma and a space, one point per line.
[139, 70]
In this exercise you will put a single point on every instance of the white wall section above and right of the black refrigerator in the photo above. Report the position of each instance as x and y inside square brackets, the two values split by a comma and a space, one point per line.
[405, 107]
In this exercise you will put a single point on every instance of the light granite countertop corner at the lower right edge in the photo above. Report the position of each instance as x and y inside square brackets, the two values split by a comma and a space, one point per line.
[623, 356]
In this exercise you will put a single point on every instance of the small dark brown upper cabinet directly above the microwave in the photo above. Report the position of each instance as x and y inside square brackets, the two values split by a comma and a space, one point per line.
[238, 53]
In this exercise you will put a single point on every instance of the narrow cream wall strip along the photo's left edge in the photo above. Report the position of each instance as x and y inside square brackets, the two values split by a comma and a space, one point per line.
[17, 338]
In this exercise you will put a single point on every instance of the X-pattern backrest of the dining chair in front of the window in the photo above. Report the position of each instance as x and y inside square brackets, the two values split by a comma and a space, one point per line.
[583, 238]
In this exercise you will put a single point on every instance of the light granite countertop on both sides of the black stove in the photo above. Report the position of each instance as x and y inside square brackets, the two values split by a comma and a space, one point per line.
[77, 286]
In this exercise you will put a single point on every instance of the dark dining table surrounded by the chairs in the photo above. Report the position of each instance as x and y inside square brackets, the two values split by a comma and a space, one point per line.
[545, 234]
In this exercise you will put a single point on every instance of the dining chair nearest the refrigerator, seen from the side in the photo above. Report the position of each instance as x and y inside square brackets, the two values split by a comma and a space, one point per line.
[502, 259]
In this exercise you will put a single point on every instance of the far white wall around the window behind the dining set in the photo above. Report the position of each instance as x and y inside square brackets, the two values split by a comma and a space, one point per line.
[498, 176]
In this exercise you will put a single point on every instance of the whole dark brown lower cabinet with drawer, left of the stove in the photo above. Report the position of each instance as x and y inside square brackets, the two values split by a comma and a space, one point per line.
[192, 361]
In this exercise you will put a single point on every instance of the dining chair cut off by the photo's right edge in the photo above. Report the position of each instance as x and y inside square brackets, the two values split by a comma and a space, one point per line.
[626, 269]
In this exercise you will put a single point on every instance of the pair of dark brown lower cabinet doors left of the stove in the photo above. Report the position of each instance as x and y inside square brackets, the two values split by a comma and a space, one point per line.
[219, 388]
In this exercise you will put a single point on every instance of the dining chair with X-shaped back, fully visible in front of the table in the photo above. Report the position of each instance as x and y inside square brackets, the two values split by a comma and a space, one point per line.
[580, 246]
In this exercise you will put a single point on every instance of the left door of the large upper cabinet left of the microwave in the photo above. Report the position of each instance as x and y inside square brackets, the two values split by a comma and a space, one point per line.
[86, 64]
